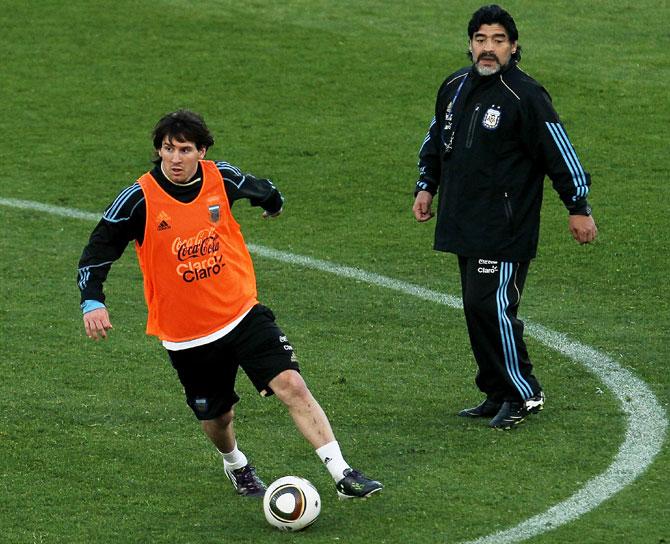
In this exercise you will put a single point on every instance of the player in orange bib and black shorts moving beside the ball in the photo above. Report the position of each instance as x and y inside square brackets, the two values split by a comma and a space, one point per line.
[200, 290]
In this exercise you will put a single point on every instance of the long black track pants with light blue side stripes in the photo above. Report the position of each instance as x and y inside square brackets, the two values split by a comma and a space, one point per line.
[491, 296]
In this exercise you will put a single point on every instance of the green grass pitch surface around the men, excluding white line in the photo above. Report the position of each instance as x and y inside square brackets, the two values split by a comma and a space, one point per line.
[331, 100]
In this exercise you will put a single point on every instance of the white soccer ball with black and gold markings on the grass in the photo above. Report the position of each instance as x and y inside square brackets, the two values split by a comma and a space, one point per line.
[291, 503]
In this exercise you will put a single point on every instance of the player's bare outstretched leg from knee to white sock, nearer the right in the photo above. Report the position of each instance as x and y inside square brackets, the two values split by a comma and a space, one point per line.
[309, 417]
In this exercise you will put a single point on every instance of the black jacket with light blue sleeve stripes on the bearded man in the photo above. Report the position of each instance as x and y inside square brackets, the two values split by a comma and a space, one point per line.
[489, 176]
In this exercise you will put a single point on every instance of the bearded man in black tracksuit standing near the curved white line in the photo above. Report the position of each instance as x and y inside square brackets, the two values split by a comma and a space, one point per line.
[494, 137]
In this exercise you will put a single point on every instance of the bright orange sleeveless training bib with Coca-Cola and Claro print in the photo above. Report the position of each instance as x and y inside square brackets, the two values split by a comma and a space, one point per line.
[198, 274]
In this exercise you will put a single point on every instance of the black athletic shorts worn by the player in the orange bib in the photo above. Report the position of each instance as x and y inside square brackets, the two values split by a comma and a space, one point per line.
[208, 372]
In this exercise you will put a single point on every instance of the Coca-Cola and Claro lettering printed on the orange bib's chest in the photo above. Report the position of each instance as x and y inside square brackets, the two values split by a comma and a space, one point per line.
[197, 256]
